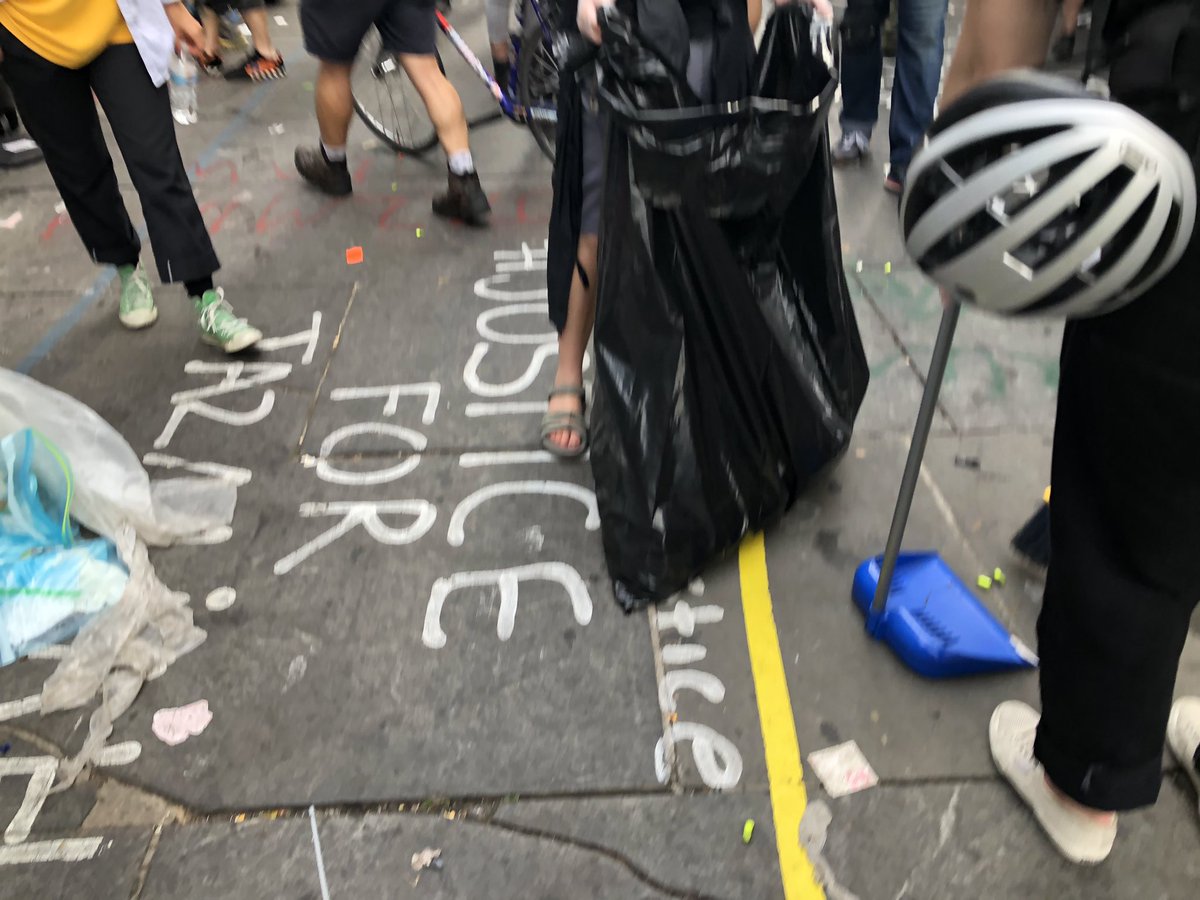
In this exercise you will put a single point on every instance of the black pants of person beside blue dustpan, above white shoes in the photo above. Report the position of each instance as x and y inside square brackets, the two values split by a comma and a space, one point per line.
[1126, 536]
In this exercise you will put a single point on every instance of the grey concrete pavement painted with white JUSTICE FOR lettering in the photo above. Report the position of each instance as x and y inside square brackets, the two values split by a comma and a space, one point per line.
[376, 693]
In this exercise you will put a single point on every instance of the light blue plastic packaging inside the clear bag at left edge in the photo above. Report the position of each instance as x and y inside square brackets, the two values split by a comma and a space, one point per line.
[51, 581]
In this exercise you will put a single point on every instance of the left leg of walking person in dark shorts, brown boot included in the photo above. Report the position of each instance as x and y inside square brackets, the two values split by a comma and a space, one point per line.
[333, 35]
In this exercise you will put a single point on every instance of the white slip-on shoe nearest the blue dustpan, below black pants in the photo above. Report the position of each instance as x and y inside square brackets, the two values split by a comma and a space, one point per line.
[1078, 837]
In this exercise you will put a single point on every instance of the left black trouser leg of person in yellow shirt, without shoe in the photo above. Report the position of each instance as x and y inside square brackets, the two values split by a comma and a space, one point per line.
[58, 111]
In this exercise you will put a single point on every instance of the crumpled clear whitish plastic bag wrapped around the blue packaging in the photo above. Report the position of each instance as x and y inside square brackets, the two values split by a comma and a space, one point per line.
[151, 627]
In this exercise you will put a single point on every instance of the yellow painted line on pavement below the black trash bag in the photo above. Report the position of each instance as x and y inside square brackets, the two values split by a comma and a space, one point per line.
[785, 775]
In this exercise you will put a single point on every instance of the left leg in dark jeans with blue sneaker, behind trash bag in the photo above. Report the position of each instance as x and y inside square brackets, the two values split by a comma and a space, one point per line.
[862, 68]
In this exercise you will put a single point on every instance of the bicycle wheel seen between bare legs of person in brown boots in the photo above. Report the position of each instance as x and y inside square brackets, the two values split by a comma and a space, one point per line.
[387, 101]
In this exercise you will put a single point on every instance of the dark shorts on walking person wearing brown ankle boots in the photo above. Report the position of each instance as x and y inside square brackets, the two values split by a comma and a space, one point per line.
[334, 29]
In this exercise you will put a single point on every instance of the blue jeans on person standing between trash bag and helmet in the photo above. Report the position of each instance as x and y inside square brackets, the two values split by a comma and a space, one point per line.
[921, 47]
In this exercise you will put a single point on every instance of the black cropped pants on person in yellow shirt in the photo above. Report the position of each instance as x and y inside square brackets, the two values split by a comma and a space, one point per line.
[59, 113]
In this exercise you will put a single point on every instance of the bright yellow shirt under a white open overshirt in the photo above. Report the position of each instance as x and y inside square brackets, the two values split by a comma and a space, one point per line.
[68, 33]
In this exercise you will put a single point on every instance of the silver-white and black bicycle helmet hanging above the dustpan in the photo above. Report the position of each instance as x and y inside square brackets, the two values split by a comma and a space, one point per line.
[1035, 197]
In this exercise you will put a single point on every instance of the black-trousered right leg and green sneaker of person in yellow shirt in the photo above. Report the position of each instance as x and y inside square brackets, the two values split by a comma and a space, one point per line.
[140, 115]
